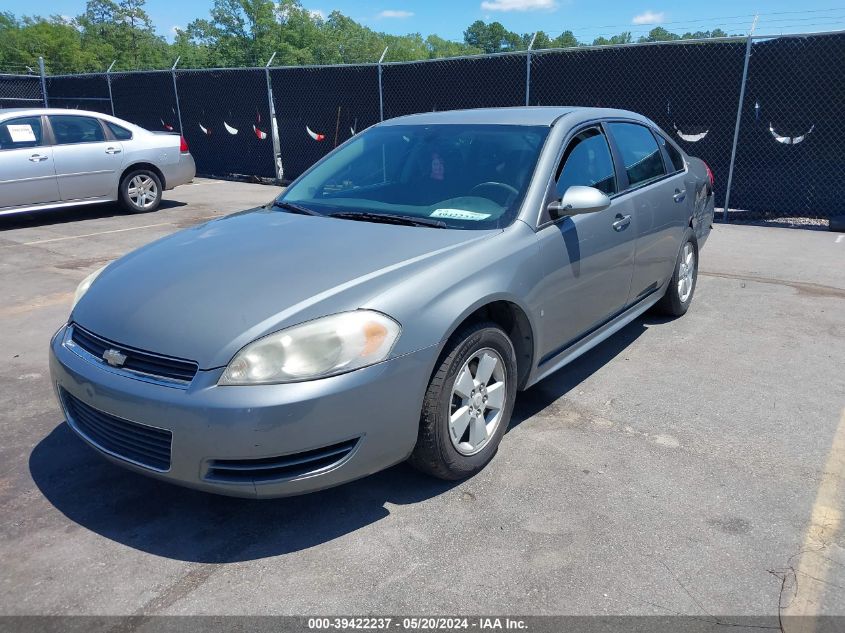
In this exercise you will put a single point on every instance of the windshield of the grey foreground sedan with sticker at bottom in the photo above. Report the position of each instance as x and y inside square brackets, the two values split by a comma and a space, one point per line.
[455, 176]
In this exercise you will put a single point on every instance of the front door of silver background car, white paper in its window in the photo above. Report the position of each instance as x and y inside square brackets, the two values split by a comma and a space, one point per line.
[27, 174]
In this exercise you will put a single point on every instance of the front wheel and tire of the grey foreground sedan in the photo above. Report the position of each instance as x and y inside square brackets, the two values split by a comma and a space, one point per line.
[436, 452]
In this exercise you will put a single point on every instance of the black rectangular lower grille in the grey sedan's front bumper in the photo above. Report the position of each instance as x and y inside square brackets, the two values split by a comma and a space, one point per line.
[137, 443]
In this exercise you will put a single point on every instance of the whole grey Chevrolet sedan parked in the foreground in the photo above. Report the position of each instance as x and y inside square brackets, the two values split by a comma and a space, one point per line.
[389, 305]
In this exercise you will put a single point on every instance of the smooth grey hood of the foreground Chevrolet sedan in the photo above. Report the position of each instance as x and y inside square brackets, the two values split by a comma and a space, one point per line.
[203, 293]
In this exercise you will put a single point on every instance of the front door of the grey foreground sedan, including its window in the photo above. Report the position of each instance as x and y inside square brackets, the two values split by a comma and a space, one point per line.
[587, 259]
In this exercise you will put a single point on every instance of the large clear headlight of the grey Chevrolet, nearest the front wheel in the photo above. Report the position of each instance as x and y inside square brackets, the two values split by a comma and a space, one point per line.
[316, 349]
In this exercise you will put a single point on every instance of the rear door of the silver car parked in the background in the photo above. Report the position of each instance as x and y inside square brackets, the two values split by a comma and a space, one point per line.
[87, 162]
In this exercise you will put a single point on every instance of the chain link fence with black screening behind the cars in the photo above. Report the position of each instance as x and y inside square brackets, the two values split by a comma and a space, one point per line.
[777, 154]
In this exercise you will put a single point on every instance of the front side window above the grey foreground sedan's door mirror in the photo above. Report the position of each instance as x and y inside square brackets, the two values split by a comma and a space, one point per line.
[587, 161]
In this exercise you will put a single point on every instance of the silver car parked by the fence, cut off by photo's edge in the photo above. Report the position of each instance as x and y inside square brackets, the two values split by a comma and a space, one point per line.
[53, 158]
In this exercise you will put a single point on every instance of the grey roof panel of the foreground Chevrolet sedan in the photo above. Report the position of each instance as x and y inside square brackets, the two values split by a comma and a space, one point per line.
[520, 115]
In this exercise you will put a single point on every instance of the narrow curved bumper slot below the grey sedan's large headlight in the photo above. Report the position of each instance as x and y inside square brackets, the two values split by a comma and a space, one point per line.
[275, 468]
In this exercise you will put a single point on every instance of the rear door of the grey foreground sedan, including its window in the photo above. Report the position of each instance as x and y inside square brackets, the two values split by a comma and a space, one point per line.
[657, 196]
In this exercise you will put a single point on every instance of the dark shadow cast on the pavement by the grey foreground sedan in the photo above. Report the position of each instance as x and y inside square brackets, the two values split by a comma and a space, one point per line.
[178, 523]
